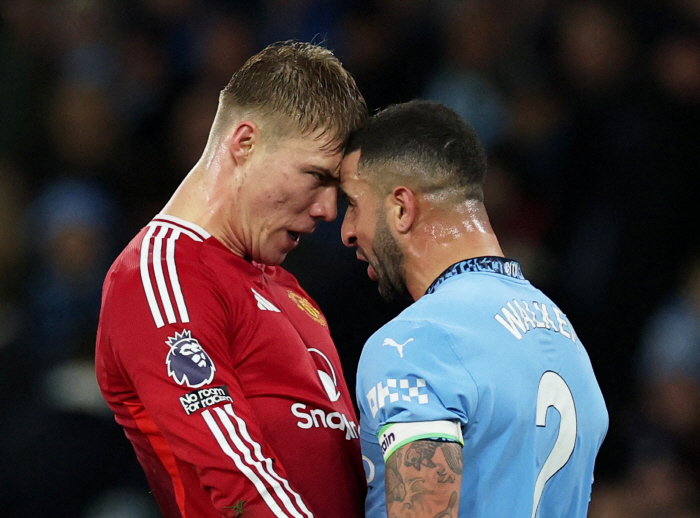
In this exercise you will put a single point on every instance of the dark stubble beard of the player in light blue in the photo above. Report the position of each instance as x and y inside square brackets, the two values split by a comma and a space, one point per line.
[388, 263]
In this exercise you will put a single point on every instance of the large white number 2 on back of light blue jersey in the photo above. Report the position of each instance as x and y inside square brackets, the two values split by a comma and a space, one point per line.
[553, 391]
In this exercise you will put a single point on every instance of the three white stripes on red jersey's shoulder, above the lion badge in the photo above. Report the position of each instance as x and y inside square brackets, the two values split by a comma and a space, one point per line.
[153, 253]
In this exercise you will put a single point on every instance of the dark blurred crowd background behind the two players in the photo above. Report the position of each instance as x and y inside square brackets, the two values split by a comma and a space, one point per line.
[590, 114]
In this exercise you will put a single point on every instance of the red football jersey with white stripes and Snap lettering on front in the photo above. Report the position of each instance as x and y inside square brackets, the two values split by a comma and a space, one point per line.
[225, 378]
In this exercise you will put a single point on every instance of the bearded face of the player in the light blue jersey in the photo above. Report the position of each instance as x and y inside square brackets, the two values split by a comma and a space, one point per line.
[365, 228]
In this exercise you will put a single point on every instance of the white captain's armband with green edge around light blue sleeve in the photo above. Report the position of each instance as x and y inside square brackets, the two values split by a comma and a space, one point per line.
[394, 435]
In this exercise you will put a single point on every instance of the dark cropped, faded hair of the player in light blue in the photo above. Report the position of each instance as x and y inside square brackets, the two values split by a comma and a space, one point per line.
[423, 144]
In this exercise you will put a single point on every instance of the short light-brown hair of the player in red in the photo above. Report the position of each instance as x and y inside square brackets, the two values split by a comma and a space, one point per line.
[299, 83]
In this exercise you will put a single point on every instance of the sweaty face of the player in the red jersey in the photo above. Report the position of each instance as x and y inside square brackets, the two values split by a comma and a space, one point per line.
[286, 189]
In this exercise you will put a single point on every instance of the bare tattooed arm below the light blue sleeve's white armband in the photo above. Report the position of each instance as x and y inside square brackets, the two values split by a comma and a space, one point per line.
[423, 480]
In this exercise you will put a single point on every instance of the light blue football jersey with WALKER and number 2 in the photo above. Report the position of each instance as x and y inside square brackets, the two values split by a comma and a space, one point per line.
[486, 355]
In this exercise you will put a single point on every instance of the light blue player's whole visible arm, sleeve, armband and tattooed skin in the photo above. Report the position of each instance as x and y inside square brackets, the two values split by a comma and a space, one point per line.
[415, 394]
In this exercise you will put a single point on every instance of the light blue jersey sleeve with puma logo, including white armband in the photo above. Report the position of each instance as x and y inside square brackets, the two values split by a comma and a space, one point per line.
[412, 385]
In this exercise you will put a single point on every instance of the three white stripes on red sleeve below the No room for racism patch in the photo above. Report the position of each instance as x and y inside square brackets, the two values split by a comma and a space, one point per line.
[259, 470]
